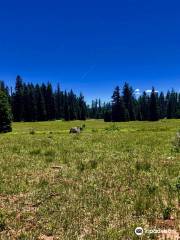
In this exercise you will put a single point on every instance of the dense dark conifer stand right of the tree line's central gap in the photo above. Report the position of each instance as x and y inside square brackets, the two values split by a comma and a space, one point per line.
[152, 107]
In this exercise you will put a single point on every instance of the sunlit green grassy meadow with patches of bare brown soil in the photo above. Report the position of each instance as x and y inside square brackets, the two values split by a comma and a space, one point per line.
[100, 184]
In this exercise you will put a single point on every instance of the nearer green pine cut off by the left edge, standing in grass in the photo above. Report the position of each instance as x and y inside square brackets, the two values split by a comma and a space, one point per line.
[5, 113]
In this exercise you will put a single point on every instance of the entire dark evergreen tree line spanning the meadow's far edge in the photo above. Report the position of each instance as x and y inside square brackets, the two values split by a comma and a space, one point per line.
[40, 102]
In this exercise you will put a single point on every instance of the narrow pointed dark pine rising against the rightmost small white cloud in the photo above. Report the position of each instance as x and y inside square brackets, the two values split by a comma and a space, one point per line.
[153, 107]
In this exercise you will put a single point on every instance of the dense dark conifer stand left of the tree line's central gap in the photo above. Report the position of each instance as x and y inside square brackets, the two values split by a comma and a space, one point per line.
[41, 103]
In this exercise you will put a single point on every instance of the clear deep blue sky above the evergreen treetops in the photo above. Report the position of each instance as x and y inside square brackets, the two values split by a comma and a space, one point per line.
[91, 46]
